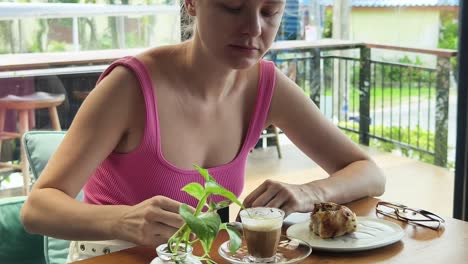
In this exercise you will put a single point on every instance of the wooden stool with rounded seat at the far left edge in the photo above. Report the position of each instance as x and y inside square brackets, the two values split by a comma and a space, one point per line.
[22, 105]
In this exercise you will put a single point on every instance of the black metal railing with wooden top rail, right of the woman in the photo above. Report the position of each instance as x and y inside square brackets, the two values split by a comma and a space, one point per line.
[389, 104]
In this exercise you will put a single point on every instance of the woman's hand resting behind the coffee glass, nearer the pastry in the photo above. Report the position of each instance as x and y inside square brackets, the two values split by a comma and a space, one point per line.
[288, 197]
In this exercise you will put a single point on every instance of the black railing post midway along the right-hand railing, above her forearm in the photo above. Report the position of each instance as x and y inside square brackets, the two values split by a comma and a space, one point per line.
[364, 95]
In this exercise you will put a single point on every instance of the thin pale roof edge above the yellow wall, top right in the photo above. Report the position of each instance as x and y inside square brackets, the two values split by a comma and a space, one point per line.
[393, 3]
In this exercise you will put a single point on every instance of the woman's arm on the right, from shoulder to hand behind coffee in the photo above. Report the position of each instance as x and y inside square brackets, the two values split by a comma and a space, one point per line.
[353, 174]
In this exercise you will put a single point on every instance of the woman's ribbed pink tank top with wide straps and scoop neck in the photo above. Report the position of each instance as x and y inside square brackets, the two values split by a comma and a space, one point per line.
[133, 177]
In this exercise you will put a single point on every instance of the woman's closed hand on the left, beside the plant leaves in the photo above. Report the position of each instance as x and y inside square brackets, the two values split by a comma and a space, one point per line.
[149, 223]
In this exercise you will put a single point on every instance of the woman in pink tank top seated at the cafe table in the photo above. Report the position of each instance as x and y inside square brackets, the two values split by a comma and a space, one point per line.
[205, 102]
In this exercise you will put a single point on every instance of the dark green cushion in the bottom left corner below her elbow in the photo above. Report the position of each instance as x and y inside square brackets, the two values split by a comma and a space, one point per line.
[16, 245]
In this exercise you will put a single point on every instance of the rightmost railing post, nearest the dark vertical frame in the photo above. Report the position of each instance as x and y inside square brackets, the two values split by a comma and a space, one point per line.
[442, 104]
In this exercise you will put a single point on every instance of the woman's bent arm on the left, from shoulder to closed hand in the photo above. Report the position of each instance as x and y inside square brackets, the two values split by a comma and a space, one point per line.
[102, 121]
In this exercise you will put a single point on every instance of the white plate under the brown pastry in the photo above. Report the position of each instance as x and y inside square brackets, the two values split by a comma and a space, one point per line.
[371, 233]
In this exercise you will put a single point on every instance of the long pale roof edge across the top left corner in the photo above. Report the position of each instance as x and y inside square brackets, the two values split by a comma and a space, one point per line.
[61, 10]
